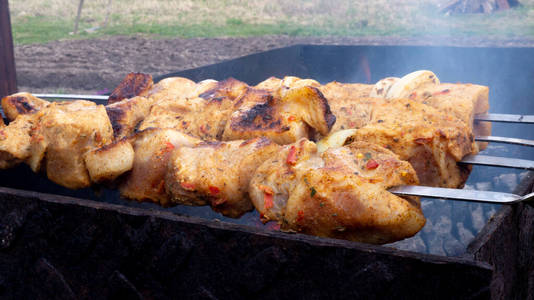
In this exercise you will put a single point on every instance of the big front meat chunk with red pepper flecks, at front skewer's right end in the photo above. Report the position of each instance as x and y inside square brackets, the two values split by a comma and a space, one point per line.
[341, 193]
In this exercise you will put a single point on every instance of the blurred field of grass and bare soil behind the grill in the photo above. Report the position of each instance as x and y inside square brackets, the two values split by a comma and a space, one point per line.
[88, 46]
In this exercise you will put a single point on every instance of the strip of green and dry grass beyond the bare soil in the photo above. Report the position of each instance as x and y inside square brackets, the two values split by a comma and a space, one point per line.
[35, 21]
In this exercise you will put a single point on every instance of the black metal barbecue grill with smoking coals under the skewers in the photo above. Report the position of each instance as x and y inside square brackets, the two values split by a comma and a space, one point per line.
[76, 241]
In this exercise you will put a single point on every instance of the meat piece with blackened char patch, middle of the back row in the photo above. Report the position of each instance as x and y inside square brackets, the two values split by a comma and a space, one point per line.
[284, 115]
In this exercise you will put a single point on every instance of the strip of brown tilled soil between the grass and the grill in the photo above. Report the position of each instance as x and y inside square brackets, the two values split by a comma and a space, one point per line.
[96, 65]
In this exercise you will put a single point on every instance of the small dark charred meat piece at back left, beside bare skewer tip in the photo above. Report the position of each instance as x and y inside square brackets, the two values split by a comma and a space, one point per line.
[134, 84]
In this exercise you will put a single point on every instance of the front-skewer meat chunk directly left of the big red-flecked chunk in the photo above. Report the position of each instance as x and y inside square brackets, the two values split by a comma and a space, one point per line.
[217, 173]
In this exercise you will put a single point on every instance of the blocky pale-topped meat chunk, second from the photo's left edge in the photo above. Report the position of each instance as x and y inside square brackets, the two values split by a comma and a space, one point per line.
[65, 132]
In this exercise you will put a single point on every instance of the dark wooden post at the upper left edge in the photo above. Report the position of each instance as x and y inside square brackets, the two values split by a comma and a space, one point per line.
[8, 78]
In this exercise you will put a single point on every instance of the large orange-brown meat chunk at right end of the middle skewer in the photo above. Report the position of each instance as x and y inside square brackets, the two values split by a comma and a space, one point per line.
[431, 141]
